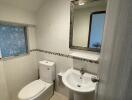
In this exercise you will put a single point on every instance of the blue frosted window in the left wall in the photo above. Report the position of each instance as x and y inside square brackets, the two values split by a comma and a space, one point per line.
[13, 40]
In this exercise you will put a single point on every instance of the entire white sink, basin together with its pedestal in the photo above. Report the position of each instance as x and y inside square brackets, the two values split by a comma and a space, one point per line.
[81, 85]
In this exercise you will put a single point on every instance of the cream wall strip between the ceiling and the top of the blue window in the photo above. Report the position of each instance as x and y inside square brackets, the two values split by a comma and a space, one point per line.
[11, 14]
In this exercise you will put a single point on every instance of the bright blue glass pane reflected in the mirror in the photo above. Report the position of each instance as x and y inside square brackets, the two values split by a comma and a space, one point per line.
[97, 28]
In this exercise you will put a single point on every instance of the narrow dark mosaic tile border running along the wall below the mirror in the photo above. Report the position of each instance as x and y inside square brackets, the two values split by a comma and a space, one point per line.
[63, 55]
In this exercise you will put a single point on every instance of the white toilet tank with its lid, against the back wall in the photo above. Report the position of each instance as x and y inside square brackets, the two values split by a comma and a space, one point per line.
[47, 71]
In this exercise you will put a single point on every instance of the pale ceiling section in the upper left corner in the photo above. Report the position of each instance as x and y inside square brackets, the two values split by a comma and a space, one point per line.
[31, 5]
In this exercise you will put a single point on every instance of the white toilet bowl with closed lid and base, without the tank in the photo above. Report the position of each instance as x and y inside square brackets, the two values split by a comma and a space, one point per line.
[36, 90]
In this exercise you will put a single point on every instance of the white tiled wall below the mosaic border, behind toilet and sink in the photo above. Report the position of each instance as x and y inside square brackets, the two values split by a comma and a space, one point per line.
[63, 63]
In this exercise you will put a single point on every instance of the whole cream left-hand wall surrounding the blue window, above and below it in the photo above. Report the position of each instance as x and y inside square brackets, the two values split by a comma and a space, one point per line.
[19, 71]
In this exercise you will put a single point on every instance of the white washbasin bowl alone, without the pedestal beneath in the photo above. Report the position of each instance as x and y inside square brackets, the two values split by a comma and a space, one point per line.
[72, 80]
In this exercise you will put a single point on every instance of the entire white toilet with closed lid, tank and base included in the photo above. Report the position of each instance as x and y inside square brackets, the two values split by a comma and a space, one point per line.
[41, 89]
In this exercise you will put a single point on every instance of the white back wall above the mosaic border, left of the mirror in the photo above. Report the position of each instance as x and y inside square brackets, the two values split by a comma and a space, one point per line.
[53, 26]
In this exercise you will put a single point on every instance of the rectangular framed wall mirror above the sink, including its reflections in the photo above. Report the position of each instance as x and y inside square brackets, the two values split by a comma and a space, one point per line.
[87, 24]
